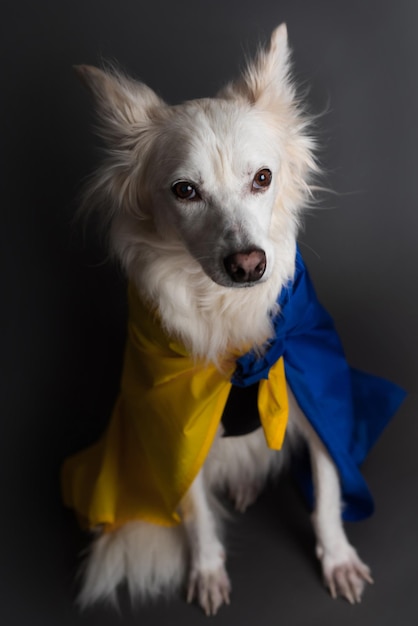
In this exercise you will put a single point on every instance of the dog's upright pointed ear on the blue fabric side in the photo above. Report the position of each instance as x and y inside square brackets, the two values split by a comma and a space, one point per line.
[266, 79]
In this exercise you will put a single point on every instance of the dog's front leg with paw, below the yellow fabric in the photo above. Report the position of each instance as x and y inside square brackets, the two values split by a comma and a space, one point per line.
[208, 580]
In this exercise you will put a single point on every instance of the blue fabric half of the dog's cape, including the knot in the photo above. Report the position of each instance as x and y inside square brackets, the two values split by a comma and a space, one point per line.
[347, 408]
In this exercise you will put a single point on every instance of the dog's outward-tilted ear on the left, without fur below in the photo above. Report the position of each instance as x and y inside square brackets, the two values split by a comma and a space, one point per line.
[123, 105]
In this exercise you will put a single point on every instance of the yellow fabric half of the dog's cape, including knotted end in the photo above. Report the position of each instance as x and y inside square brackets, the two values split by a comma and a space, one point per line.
[161, 429]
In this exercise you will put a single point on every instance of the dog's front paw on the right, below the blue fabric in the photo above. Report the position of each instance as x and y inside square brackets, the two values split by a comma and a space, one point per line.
[345, 574]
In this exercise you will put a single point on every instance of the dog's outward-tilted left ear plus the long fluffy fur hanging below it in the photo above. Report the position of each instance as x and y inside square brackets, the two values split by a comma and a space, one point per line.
[130, 115]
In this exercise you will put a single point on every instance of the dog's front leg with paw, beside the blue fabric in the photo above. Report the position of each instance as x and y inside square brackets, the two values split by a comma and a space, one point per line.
[344, 572]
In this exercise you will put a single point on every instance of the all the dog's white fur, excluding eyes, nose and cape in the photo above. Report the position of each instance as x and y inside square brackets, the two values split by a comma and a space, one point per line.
[173, 250]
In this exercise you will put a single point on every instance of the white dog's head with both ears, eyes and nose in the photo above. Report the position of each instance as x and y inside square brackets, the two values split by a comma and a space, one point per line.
[225, 176]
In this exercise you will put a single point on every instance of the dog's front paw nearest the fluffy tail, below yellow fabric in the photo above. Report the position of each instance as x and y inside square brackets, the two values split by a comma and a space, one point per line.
[211, 588]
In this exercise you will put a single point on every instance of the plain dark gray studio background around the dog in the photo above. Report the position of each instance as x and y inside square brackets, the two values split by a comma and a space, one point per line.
[63, 308]
